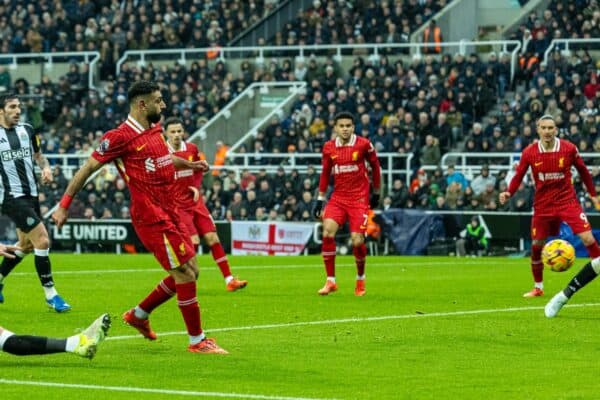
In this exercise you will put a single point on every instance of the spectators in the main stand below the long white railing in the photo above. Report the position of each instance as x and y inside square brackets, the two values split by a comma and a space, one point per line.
[426, 106]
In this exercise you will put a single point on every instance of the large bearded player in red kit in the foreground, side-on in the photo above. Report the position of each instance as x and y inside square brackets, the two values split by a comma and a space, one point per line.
[140, 153]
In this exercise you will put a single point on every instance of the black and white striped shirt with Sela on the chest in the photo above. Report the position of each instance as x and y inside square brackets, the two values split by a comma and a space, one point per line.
[17, 147]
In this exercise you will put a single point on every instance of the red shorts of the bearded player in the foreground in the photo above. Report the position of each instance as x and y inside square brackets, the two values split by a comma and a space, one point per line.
[170, 243]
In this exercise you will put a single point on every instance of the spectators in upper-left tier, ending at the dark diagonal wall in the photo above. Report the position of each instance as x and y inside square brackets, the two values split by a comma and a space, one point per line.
[113, 26]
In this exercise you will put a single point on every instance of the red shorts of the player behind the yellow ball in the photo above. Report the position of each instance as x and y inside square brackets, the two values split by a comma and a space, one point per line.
[549, 225]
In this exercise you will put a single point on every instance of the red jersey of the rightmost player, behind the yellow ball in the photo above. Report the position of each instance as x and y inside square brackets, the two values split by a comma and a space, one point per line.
[551, 170]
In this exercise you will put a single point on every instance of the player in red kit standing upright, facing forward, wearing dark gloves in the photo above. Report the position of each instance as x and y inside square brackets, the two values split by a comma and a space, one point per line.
[345, 158]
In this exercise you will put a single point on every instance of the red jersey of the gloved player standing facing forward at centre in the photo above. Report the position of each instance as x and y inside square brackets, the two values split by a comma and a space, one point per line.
[347, 164]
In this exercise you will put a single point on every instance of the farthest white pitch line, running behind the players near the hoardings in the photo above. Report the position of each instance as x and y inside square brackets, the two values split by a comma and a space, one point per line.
[205, 268]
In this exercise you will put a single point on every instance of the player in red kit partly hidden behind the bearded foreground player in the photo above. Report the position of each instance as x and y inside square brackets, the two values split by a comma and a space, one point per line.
[194, 212]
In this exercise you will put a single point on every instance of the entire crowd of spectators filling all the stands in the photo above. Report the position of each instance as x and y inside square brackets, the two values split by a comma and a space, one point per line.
[466, 103]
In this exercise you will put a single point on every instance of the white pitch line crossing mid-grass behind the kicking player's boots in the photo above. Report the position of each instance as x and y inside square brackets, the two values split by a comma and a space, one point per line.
[365, 319]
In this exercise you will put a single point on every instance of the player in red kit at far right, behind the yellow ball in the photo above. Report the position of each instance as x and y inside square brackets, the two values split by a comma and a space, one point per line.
[551, 159]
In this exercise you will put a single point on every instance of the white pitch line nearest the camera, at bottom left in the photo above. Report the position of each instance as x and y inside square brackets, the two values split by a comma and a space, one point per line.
[154, 391]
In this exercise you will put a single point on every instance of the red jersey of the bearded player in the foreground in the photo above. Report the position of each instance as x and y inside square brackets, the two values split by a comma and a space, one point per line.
[144, 161]
